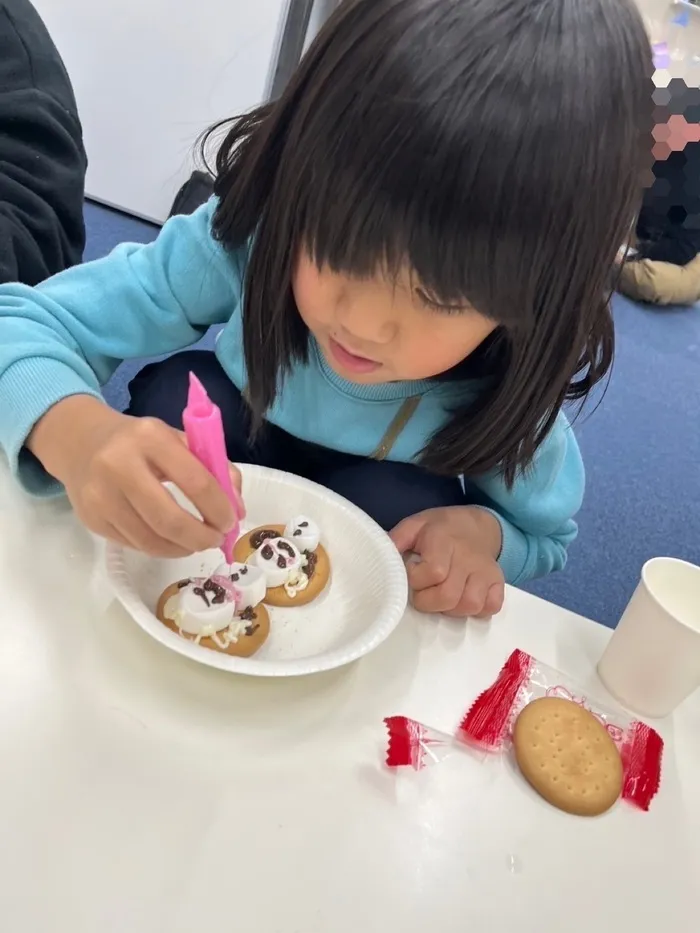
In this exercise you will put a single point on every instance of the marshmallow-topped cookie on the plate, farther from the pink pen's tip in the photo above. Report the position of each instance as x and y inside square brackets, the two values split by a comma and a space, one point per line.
[293, 561]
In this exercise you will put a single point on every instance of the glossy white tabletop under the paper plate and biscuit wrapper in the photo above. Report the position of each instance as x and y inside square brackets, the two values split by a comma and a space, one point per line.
[140, 792]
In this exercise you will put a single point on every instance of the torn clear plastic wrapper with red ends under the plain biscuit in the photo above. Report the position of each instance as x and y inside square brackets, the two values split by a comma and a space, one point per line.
[489, 722]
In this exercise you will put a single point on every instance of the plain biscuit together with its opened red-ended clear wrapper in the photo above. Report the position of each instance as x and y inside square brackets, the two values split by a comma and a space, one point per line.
[553, 741]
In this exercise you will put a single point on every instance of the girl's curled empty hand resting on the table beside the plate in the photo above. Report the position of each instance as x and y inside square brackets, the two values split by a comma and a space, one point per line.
[458, 573]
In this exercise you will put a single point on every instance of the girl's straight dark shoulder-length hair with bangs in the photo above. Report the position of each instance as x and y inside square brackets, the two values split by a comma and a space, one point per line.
[497, 148]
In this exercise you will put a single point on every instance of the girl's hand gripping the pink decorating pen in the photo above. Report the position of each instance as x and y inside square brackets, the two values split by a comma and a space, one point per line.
[112, 467]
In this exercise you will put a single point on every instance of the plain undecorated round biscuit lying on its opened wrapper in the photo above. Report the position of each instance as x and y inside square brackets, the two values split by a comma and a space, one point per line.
[566, 754]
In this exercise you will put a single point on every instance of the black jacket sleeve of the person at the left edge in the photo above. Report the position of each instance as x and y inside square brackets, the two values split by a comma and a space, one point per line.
[42, 159]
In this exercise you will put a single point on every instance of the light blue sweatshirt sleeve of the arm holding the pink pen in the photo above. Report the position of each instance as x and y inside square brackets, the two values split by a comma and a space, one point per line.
[67, 336]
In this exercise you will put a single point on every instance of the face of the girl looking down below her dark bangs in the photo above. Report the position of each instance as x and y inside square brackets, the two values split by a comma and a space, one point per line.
[379, 331]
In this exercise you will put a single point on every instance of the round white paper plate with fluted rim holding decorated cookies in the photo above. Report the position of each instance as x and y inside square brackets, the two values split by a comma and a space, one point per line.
[360, 607]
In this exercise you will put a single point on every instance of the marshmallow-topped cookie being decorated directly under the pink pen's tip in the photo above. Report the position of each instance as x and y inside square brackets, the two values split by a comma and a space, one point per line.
[216, 613]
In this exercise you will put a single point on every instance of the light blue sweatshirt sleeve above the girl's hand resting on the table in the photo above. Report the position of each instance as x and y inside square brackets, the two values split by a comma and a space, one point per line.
[537, 514]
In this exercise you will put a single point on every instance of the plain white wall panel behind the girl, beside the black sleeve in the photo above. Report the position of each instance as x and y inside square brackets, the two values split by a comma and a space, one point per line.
[150, 75]
